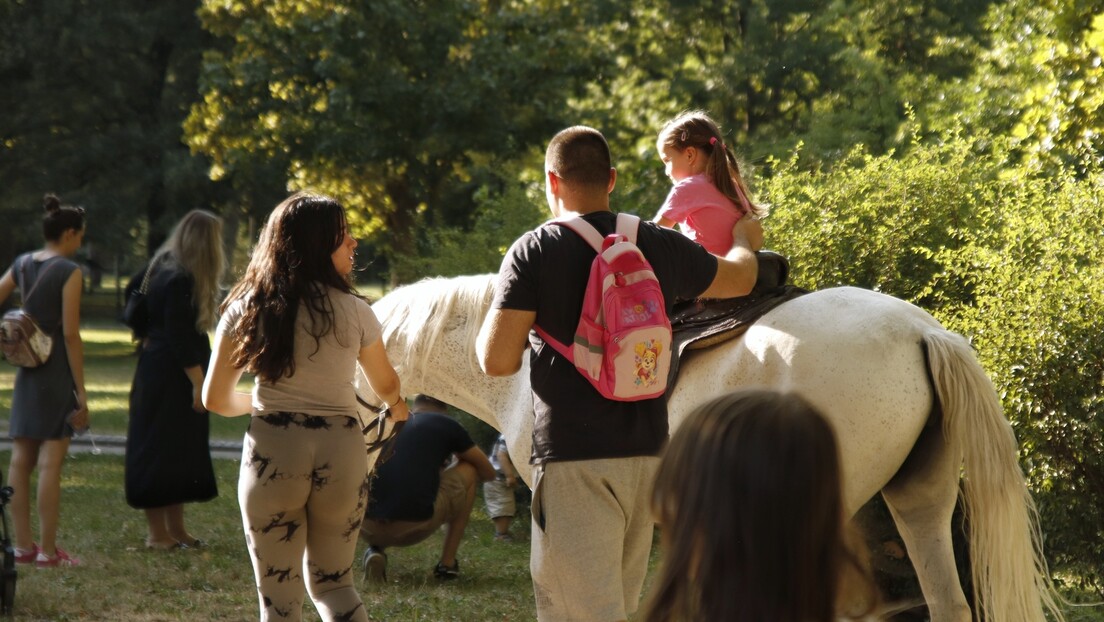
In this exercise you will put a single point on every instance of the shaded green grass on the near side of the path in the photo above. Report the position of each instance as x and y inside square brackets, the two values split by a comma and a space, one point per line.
[122, 581]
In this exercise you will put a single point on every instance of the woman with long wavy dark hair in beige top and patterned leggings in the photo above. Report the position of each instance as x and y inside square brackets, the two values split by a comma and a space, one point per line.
[298, 324]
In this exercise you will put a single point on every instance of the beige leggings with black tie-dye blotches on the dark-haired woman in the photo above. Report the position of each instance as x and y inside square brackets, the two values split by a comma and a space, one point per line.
[303, 494]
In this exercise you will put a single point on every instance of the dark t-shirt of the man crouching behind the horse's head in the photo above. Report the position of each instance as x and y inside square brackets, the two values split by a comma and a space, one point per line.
[405, 488]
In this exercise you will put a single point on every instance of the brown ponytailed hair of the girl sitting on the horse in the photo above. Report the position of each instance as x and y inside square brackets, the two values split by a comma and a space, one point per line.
[695, 129]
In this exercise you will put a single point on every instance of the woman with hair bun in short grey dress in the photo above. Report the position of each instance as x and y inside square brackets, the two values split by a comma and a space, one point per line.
[50, 400]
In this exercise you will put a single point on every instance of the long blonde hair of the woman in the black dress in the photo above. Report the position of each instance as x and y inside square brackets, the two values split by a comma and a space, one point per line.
[196, 246]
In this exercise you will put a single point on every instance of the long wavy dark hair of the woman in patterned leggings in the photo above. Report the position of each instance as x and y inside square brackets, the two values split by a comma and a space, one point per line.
[291, 266]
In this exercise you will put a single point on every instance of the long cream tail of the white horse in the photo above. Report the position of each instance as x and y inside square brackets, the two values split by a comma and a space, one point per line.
[1012, 583]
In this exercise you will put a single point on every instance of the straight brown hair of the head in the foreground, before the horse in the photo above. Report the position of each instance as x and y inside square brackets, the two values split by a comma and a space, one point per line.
[750, 503]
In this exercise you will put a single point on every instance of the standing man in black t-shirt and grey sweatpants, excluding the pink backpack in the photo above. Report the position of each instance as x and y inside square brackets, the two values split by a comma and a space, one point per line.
[595, 459]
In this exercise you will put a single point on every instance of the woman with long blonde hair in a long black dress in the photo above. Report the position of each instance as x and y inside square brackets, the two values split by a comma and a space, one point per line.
[168, 458]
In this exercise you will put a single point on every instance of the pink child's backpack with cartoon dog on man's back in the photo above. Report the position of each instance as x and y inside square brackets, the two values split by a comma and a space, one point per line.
[623, 343]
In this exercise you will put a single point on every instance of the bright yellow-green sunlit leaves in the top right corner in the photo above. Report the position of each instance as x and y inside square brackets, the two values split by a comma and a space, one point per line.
[1037, 88]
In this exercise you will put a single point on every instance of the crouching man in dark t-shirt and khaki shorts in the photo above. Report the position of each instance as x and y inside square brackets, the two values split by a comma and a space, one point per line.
[421, 488]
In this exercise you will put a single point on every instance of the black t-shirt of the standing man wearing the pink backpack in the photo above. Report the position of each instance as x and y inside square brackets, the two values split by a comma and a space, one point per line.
[546, 271]
